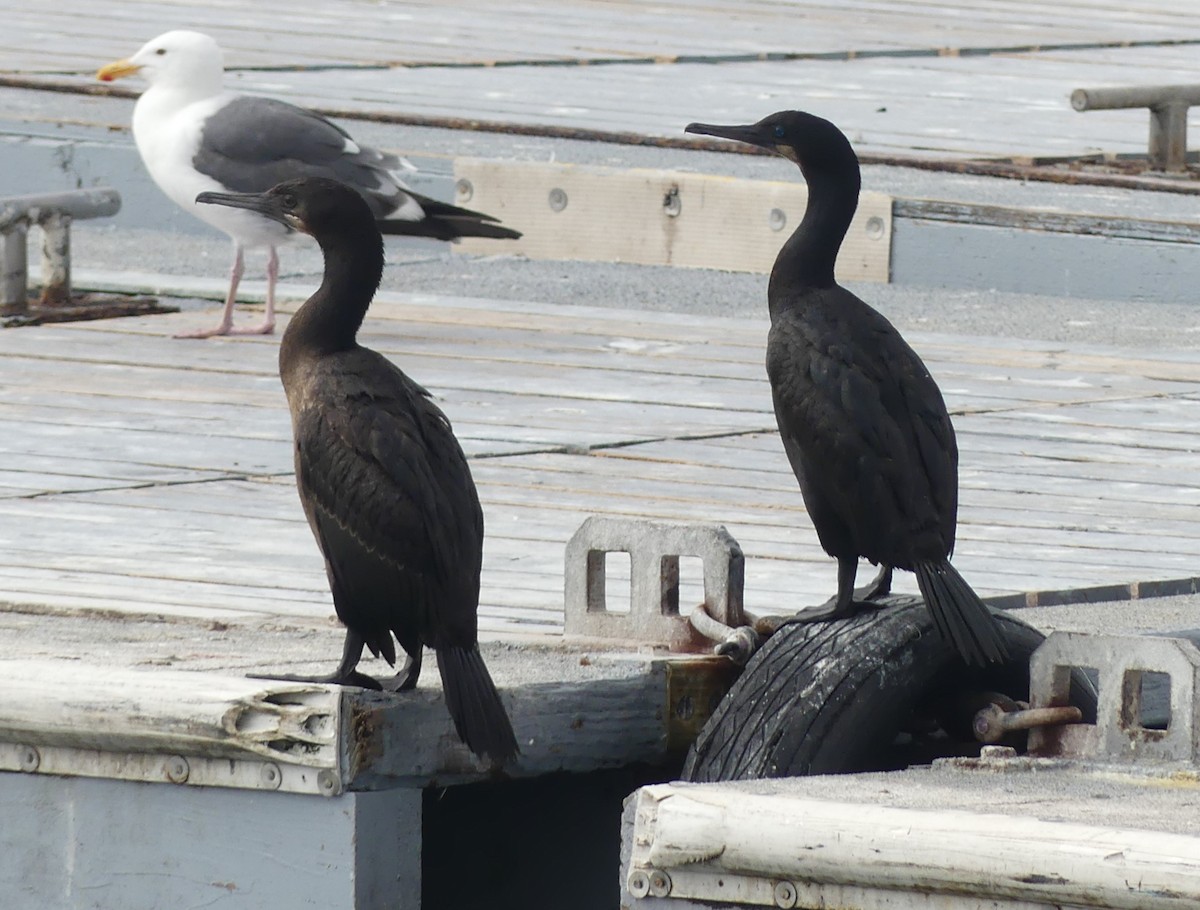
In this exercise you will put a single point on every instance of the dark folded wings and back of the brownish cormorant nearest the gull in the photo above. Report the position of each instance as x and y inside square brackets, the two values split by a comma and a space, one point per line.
[394, 507]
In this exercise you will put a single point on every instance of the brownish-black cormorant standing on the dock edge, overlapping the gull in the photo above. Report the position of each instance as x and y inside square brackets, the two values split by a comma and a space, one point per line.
[383, 482]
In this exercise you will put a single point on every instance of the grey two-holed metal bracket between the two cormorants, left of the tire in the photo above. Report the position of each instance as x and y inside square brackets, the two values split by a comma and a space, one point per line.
[655, 609]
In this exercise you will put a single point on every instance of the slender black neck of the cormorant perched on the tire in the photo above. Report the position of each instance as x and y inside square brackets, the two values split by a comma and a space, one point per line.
[808, 259]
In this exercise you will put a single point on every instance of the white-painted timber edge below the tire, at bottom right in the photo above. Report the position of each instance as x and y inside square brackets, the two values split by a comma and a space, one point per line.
[724, 829]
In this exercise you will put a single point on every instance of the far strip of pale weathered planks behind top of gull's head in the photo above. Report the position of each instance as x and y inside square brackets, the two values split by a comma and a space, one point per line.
[471, 32]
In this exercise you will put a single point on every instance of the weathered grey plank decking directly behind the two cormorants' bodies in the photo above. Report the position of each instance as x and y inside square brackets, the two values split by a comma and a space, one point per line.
[153, 477]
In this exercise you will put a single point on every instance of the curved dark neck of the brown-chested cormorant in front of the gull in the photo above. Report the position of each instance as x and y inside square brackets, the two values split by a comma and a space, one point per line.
[329, 320]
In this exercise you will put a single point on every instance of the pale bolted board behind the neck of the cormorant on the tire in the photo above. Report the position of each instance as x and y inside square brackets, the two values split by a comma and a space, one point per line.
[661, 218]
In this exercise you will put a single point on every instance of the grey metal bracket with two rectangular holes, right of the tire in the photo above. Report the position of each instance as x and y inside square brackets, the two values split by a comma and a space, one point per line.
[1126, 666]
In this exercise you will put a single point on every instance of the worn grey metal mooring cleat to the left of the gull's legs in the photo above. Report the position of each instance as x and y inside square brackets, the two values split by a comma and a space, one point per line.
[53, 213]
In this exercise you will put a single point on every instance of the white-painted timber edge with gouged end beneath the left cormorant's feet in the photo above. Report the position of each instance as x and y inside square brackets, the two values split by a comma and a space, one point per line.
[200, 729]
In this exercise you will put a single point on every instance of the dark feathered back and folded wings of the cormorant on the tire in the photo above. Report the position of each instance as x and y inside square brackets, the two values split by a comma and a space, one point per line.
[866, 430]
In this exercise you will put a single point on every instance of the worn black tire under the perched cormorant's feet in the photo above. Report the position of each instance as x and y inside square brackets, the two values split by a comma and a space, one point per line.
[878, 692]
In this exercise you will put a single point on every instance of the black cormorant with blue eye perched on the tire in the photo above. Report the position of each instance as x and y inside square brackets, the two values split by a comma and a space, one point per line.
[862, 421]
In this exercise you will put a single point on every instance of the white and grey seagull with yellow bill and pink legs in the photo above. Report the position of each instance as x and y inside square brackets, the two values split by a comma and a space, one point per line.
[195, 136]
